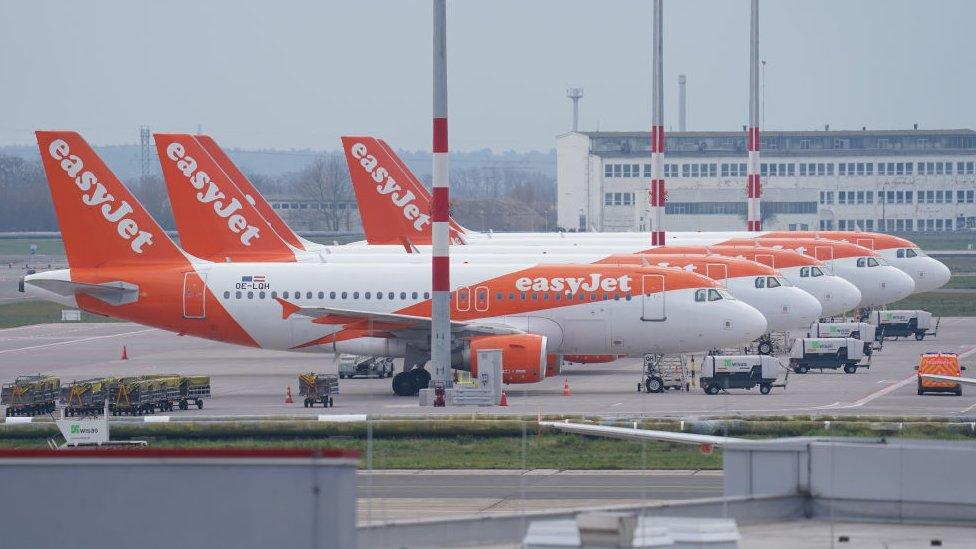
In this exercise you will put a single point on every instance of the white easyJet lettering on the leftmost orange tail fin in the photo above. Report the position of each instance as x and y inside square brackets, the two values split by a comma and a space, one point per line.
[95, 195]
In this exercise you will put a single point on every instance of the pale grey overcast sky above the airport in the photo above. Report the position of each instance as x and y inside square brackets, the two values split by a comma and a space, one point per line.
[291, 74]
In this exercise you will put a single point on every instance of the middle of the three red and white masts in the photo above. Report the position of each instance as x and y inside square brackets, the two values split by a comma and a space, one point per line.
[657, 194]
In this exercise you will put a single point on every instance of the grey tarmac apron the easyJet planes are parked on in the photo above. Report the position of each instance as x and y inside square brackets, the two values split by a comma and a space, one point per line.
[254, 382]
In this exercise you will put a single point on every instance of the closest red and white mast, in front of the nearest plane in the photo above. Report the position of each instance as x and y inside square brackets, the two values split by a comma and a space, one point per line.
[440, 340]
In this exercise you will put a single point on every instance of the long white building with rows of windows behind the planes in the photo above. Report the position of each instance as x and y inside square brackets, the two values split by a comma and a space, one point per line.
[885, 181]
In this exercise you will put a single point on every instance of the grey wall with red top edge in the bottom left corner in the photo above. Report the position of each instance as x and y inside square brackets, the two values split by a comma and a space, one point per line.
[163, 499]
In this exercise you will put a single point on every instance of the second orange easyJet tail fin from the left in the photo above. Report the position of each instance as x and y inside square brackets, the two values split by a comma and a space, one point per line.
[214, 219]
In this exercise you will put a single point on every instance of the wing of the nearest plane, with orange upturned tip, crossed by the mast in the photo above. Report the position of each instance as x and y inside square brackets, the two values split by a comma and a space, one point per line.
[390, 322]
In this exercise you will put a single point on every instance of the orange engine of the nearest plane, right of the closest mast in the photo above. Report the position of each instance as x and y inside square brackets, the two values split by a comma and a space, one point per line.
[523, 356]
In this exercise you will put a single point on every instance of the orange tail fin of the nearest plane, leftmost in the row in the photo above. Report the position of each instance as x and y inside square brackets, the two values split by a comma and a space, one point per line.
[101, 222]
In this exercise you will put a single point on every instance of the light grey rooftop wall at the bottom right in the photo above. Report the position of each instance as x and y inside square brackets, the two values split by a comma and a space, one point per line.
[904, 481]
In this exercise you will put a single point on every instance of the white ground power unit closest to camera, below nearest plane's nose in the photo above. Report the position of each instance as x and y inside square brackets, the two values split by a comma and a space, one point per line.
[720, 372]
